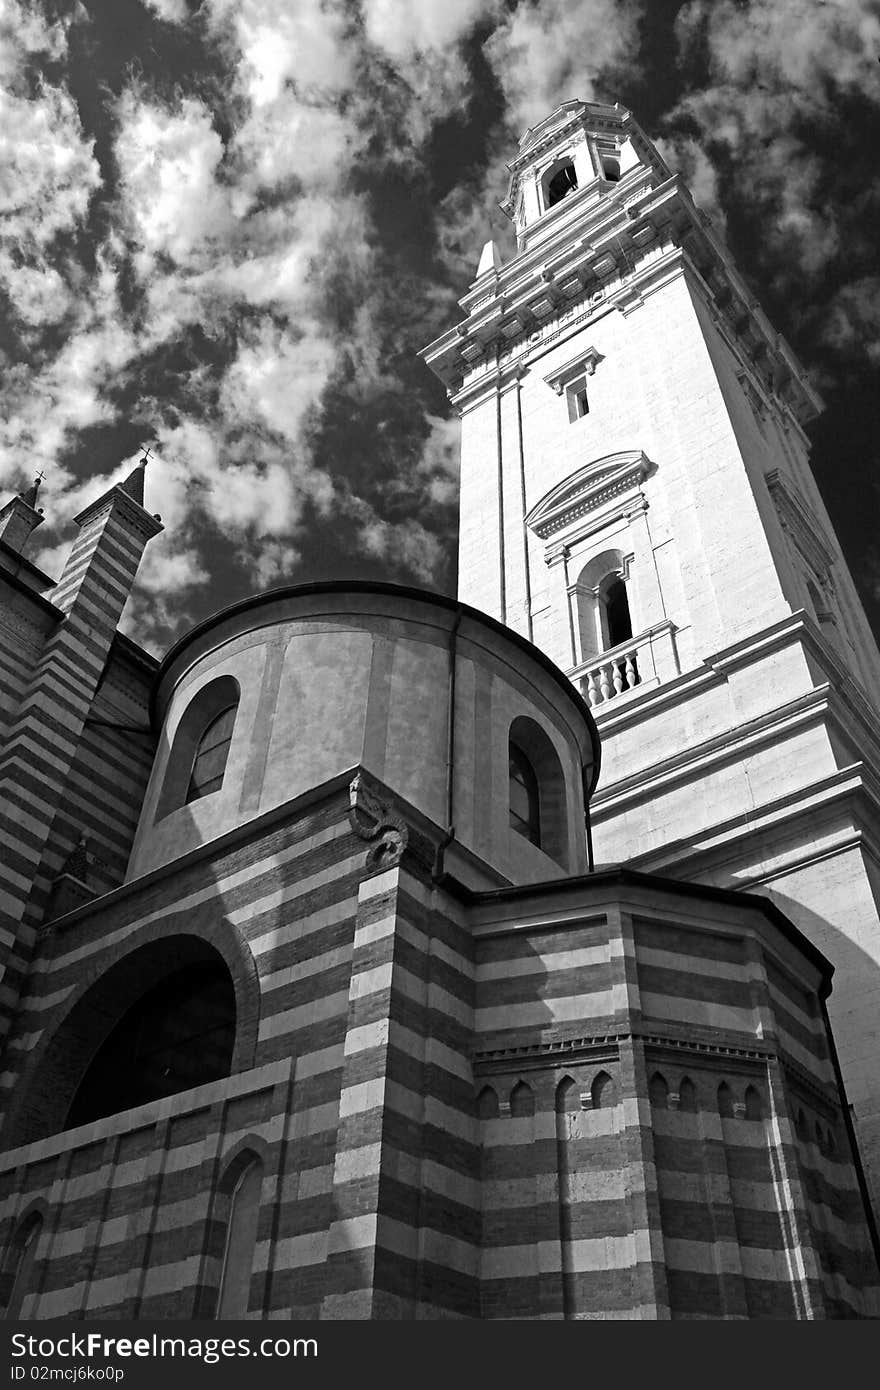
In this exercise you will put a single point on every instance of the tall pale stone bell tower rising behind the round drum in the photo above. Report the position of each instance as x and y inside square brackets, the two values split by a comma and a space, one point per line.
[637, 500]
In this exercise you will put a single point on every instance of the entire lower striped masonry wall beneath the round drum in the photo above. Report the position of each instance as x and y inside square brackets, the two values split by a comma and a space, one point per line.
[482, 1106]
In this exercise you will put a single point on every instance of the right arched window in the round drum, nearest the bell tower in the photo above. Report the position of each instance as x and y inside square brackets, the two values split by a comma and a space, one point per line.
[537, 790]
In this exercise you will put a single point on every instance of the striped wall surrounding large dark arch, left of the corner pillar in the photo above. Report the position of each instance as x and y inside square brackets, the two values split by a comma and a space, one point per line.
[282, 911]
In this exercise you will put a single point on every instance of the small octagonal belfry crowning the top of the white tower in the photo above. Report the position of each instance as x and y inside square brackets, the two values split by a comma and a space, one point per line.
[571, 161]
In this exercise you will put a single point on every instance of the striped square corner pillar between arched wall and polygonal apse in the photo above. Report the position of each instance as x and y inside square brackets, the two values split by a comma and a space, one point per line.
[407, 1227]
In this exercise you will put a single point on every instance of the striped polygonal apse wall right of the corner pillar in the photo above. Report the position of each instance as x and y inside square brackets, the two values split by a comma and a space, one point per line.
[660, 1177]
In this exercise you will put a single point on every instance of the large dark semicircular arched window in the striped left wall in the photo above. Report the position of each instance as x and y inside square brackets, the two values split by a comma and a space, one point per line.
[176, 1036]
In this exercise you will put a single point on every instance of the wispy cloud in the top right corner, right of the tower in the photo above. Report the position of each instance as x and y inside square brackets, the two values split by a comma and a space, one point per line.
[776, 80]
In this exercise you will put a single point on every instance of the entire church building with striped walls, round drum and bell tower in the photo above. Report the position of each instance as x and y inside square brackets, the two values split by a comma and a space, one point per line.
[380, 954]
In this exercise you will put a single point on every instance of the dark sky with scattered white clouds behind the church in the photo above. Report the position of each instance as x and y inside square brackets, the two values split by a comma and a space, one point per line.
[229, 226]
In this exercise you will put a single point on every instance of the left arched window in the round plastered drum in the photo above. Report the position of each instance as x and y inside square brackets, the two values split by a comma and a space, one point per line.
[201, 750]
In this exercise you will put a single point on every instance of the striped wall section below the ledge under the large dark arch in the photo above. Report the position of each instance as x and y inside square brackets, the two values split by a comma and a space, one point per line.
[131, 1203]
